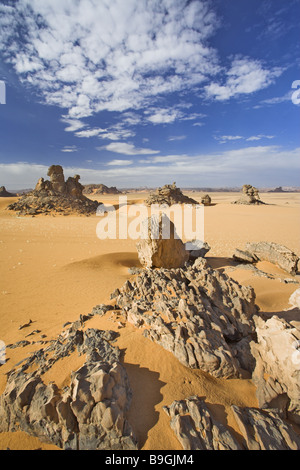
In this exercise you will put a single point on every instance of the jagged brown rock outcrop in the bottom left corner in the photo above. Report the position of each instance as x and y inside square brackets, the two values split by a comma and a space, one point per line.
[90, 413]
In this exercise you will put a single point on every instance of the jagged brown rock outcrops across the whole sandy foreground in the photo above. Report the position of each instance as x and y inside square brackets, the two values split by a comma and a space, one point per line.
[207, 321]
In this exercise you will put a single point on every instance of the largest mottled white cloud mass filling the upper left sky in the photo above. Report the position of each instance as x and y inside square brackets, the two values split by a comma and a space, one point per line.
[88, 56]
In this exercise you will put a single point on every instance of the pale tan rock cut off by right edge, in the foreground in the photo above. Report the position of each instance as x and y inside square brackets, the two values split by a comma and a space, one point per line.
[277, 355]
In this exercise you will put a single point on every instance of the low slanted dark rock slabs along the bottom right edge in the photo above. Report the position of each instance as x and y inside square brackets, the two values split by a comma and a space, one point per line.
[197, 429]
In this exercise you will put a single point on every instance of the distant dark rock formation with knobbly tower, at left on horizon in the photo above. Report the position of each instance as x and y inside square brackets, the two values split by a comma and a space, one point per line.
[55, 196]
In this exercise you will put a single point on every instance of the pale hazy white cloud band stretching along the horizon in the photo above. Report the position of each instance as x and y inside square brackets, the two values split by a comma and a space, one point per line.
[258, 165]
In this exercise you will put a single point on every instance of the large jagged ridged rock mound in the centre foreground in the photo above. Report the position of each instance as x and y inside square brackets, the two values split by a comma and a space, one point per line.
[200, 315]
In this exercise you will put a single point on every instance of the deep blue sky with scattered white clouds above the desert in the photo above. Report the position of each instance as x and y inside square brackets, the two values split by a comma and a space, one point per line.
[146, 92]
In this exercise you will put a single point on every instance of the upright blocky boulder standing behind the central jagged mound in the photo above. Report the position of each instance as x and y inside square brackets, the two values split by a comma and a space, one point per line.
[156, 251]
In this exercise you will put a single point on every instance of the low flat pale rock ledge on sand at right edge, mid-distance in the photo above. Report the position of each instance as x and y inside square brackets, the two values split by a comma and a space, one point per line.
[277, 254]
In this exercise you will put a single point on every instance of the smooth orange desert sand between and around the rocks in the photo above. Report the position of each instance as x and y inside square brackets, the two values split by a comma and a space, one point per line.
[55, 268]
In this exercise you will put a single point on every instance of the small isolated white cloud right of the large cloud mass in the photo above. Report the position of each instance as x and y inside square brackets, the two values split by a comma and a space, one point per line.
[245, 76]
